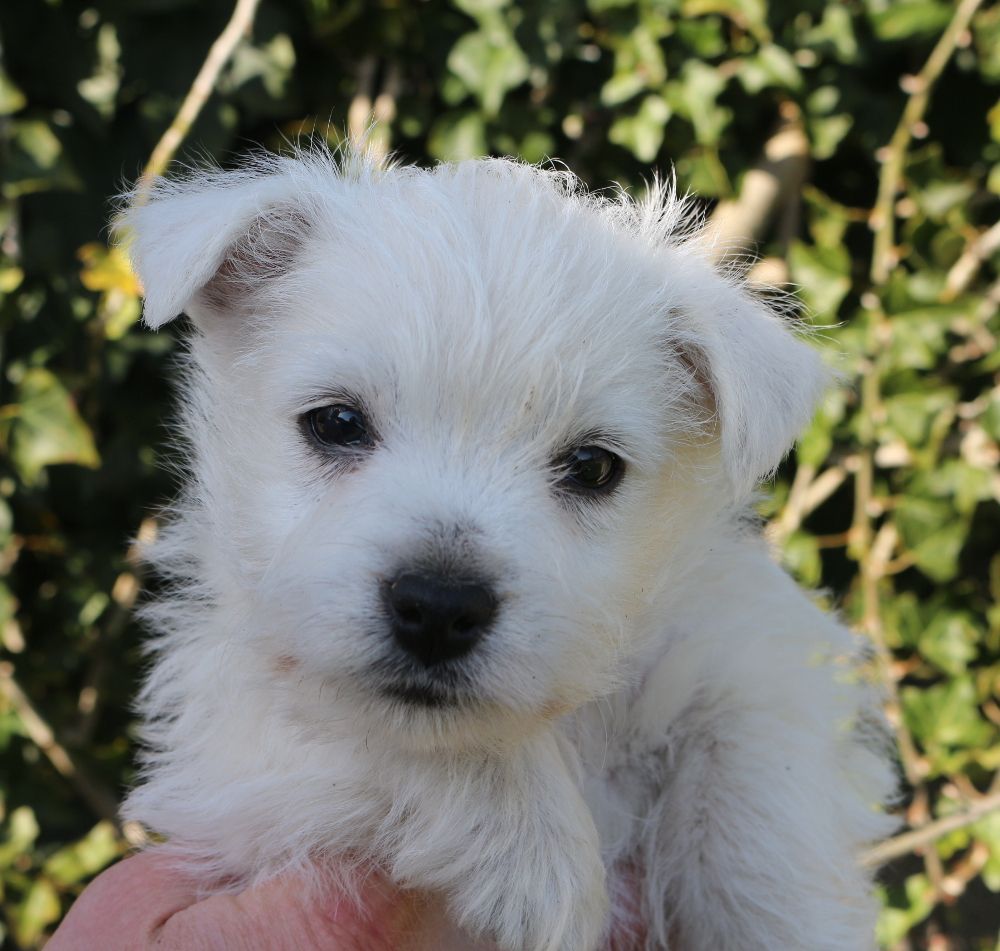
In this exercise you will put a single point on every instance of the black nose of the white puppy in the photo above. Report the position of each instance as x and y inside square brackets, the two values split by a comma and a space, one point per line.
[436, 619]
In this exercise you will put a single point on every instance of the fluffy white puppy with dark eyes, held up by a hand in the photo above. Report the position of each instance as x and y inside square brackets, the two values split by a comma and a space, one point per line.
[462, 582]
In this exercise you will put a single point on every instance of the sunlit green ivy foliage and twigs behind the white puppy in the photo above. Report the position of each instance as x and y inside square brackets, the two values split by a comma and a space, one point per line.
[790, 116]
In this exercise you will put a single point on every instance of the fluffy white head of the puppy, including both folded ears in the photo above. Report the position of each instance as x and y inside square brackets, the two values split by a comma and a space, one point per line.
[457, 433]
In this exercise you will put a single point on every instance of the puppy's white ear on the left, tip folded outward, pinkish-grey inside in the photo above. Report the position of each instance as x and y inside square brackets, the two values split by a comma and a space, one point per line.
[199, 244]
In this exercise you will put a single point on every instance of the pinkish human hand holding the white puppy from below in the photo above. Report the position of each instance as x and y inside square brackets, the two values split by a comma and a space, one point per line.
[145, 902]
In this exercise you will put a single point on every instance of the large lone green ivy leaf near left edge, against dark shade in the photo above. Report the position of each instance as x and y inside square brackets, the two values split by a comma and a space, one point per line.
[47, 429]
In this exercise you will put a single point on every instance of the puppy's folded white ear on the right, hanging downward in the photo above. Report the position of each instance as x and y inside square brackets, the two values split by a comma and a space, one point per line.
[763, 381]
